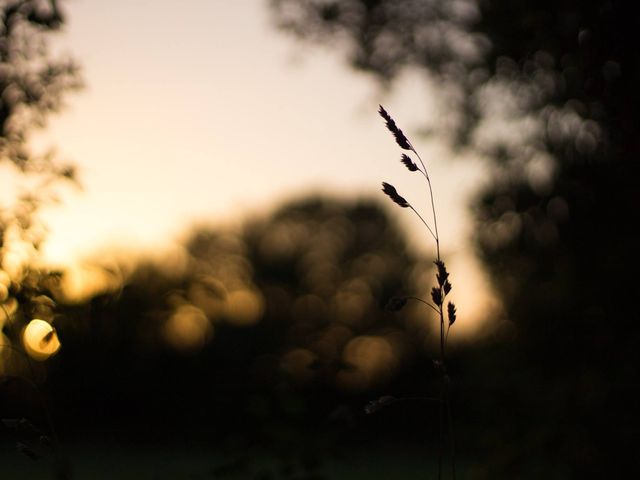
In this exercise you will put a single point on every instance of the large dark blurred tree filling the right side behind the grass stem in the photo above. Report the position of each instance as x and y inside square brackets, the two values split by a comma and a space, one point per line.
[548, 92]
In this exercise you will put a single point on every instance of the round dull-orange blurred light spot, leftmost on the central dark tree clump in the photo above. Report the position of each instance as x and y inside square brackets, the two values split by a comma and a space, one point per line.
[188, 328]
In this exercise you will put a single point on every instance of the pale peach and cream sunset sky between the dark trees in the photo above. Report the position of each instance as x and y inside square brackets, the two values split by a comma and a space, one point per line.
[201, 112]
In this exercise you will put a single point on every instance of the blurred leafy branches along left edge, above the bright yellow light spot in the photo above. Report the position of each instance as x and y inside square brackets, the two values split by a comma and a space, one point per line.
[32, 85]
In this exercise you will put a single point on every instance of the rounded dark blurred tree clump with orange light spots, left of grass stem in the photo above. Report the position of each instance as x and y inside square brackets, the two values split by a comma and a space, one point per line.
[296, 298]
